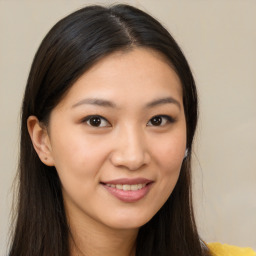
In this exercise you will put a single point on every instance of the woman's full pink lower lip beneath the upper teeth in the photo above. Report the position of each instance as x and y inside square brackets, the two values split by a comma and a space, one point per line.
[129, 196]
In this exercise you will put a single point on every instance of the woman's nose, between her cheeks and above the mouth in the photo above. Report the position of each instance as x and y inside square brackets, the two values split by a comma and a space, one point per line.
[131, 151]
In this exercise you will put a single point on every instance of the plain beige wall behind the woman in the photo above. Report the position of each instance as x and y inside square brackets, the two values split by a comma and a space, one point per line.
[219, 40]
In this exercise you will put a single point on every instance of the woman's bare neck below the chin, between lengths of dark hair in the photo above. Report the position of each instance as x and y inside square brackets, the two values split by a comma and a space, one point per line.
[91, 238]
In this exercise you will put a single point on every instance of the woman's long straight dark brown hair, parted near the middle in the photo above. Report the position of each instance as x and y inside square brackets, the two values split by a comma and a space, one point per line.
[71, 47]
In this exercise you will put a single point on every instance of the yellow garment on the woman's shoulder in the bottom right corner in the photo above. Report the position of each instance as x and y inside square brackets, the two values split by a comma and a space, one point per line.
[218, 249]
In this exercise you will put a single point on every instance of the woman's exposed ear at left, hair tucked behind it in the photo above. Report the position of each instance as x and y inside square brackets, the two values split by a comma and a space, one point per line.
[40, 139]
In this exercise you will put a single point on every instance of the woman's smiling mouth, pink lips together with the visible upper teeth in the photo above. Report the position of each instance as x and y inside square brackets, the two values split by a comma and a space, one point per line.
[128, 190]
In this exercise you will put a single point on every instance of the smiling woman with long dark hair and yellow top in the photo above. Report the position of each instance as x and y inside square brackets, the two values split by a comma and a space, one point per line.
[108, 120]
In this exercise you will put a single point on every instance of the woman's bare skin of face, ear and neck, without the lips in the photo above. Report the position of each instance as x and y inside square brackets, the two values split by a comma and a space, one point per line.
[127, 144]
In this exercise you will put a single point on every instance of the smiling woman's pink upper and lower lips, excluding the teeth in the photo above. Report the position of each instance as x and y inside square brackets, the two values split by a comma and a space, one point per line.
[128, 196]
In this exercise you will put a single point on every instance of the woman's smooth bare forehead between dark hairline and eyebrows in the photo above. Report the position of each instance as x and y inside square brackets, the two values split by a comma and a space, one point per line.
[125, 75]
